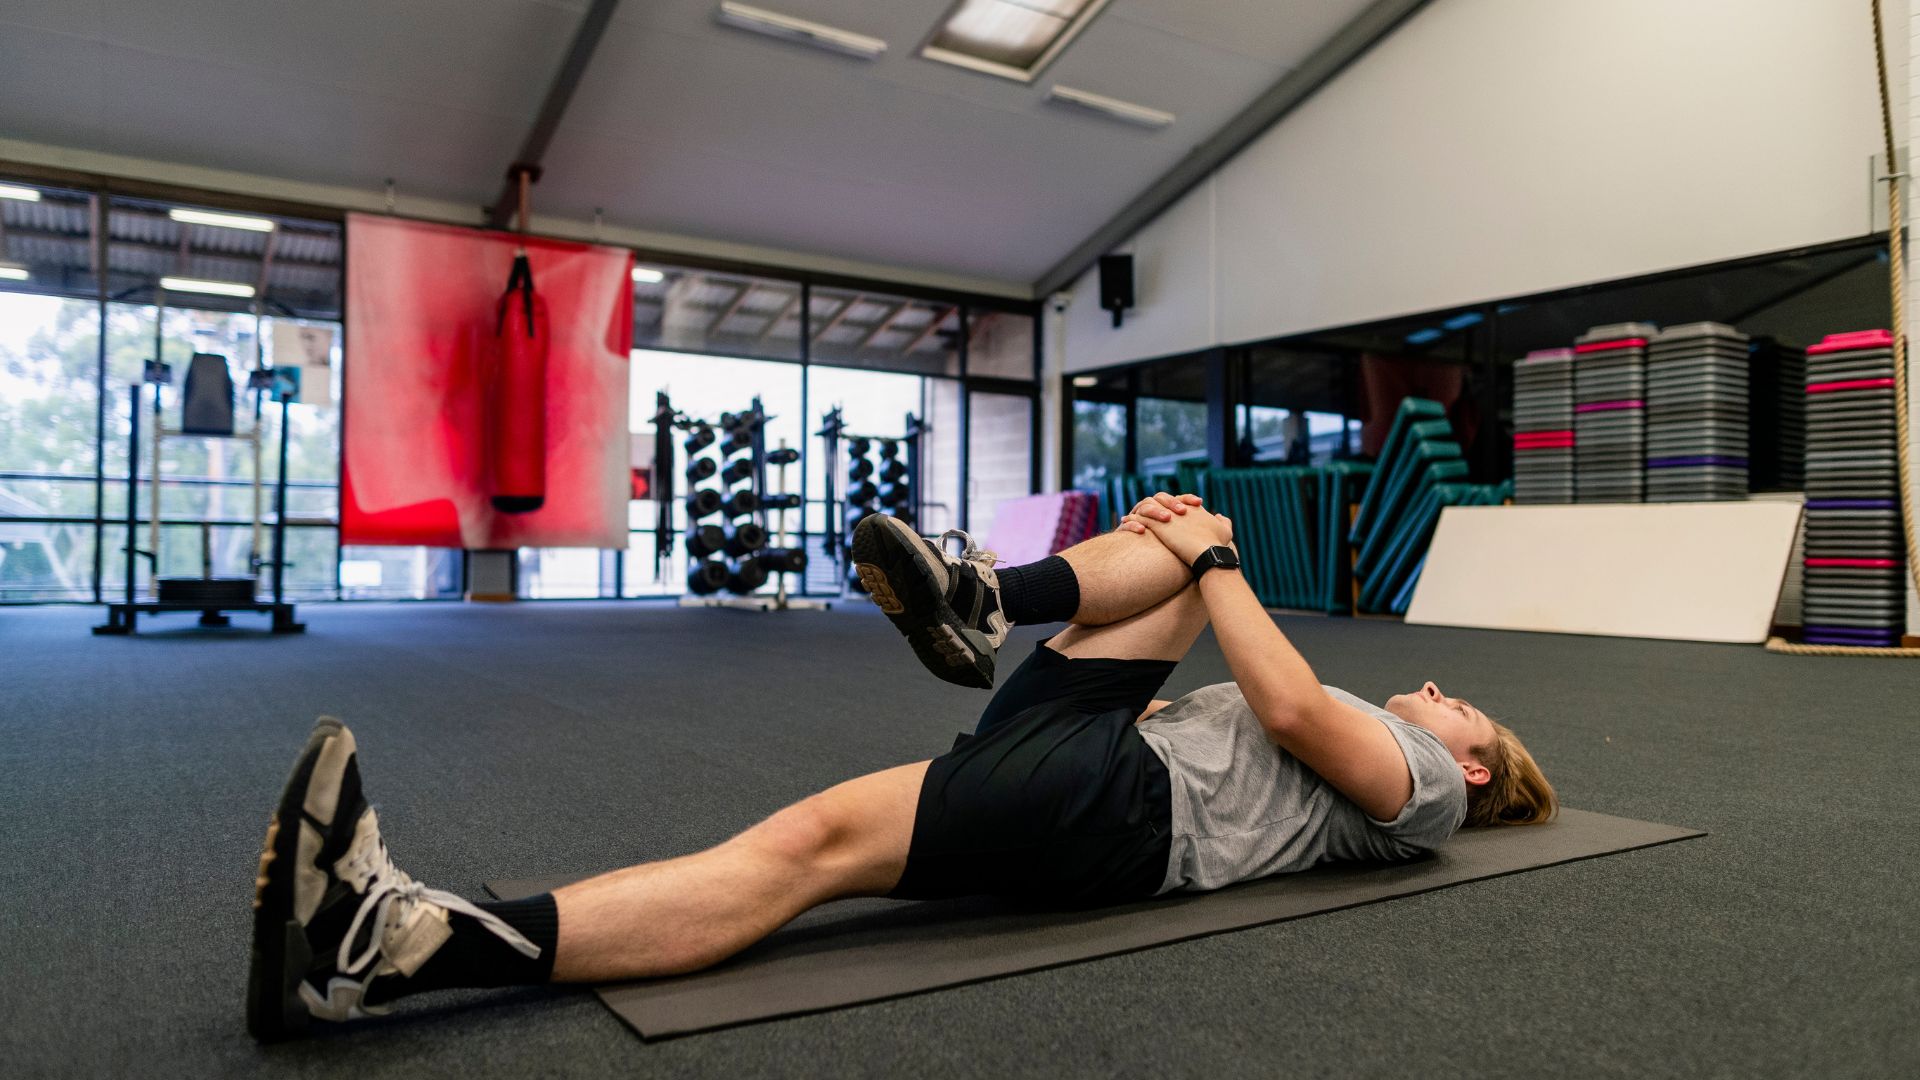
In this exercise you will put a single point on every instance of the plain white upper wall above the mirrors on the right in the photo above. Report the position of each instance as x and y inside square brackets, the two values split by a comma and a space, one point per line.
[1502, 147]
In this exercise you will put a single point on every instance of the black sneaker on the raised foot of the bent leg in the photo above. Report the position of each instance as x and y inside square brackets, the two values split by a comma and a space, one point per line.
[949, 608]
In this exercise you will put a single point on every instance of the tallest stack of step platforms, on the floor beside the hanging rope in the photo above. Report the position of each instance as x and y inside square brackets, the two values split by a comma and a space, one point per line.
[1856, 558]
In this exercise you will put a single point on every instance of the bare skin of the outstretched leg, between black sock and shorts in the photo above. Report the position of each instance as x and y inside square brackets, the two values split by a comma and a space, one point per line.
[688, 914]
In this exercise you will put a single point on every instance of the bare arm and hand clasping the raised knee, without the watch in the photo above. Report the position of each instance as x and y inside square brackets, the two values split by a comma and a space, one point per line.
[1345, 747]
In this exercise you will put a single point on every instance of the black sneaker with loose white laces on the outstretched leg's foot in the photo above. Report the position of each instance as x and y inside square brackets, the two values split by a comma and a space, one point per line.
[331, 912]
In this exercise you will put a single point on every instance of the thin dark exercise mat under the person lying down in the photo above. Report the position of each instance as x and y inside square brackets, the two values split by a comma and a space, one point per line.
[871, 950]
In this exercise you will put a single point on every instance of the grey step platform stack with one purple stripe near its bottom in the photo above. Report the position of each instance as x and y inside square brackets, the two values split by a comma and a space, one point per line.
[1696, 405]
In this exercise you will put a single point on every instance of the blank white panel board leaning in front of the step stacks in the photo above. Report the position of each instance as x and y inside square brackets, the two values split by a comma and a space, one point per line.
[1683, 572]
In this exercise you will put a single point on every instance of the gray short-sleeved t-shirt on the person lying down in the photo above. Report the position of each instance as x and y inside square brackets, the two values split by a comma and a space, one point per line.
[1243, 808]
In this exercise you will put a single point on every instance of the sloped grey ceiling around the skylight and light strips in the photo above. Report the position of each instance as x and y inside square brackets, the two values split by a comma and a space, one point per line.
[681, 126]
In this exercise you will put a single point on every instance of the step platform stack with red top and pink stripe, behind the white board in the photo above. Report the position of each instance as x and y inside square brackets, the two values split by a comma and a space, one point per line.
[1610, 412]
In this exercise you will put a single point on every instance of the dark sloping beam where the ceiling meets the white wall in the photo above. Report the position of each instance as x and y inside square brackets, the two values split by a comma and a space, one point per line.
[1301, 84]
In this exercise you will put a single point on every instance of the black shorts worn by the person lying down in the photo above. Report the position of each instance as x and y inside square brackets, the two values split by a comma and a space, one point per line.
[1055, 798]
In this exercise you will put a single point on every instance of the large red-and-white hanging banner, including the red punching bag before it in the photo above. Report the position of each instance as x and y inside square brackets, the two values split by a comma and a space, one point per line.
[477, 418]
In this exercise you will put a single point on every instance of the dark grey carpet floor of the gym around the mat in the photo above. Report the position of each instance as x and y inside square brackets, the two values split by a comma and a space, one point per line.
[137, 777]
